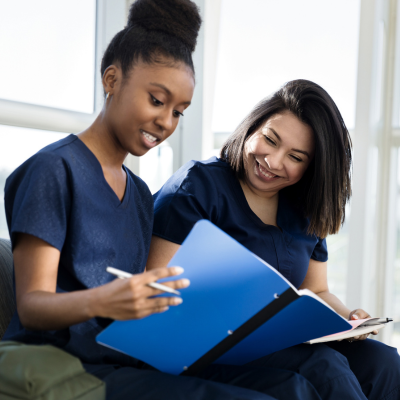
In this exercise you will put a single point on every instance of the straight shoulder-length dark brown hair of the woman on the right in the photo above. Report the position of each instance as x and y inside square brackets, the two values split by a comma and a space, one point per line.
[325, 188]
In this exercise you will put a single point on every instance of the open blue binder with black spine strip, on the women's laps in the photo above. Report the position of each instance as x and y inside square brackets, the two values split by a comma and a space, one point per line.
[237, 309]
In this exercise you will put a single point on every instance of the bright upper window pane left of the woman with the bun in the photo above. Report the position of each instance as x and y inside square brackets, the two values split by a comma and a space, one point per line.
[48, 53]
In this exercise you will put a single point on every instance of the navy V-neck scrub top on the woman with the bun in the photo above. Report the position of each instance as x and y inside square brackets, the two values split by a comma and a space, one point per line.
[60, 195]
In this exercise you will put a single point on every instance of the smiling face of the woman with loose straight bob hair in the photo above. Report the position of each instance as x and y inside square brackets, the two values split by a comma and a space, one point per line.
[278, 154]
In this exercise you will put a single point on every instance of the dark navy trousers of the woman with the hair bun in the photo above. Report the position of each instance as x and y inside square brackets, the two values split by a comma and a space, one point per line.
[218, 382]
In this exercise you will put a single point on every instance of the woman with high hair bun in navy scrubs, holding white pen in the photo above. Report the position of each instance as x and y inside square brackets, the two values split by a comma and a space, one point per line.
[73, 209]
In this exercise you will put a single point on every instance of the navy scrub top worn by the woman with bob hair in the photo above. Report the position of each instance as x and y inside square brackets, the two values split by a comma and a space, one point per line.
[210, 190]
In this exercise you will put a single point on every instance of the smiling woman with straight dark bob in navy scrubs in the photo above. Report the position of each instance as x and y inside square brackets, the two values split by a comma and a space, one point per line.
[280, 187]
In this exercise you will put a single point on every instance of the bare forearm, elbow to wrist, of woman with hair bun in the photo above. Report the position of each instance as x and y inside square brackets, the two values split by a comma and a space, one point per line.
[40, 310]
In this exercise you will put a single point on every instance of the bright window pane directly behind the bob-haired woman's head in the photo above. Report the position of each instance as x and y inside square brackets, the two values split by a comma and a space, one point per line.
[264, 44]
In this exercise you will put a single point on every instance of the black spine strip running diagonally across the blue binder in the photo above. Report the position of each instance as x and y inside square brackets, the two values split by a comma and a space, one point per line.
[243, 331]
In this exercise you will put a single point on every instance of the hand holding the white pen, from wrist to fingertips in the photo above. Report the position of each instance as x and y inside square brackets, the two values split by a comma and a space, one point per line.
[132, 298]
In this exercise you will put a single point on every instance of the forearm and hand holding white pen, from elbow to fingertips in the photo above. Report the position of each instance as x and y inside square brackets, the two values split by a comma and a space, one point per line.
[121, 299]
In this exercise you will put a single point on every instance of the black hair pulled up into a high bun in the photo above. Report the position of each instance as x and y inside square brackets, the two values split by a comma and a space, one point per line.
[158, 32]
